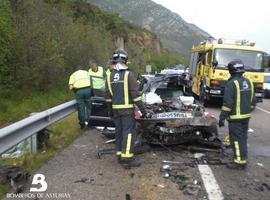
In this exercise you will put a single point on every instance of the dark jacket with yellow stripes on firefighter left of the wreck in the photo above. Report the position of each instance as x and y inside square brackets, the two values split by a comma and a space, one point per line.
[121, 90]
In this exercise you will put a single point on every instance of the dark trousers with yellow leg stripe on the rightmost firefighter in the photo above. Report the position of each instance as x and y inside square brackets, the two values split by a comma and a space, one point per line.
[238, 131]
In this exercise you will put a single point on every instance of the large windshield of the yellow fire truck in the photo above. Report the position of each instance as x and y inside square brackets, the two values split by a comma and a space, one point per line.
[252, 60]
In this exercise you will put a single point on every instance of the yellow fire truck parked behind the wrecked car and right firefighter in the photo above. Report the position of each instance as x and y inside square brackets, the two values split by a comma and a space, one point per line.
[208, 67]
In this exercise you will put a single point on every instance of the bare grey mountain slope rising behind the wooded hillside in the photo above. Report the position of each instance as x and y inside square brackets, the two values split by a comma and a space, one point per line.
[176, 34]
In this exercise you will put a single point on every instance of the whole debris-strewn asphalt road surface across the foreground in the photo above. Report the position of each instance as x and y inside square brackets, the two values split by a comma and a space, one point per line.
[76, 172]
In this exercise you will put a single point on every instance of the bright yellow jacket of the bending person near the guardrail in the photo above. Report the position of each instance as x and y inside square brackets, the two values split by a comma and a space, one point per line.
[79, 79]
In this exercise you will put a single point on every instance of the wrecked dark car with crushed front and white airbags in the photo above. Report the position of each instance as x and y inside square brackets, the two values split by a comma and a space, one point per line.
[174, 118]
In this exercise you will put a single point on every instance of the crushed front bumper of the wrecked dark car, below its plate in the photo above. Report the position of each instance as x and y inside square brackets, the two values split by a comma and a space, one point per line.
[177, 131]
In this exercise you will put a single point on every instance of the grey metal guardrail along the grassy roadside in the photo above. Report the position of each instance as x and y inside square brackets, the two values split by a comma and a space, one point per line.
[15, 133]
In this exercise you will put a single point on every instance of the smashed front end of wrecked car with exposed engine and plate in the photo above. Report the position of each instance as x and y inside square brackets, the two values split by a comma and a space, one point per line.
[170, 124]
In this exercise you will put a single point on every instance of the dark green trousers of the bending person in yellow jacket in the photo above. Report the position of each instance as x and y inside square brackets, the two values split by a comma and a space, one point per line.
[83, 98]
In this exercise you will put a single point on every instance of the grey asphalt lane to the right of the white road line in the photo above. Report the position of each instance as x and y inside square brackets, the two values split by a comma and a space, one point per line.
[254, 182]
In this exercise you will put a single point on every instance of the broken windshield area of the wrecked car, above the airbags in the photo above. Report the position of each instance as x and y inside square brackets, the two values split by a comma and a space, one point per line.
[166, 90]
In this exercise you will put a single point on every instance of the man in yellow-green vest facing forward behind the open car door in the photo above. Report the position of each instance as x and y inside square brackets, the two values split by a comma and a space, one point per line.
[97, 78]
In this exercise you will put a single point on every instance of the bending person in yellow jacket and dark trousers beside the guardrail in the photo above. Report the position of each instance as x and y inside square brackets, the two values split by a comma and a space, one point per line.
[79, 83]
